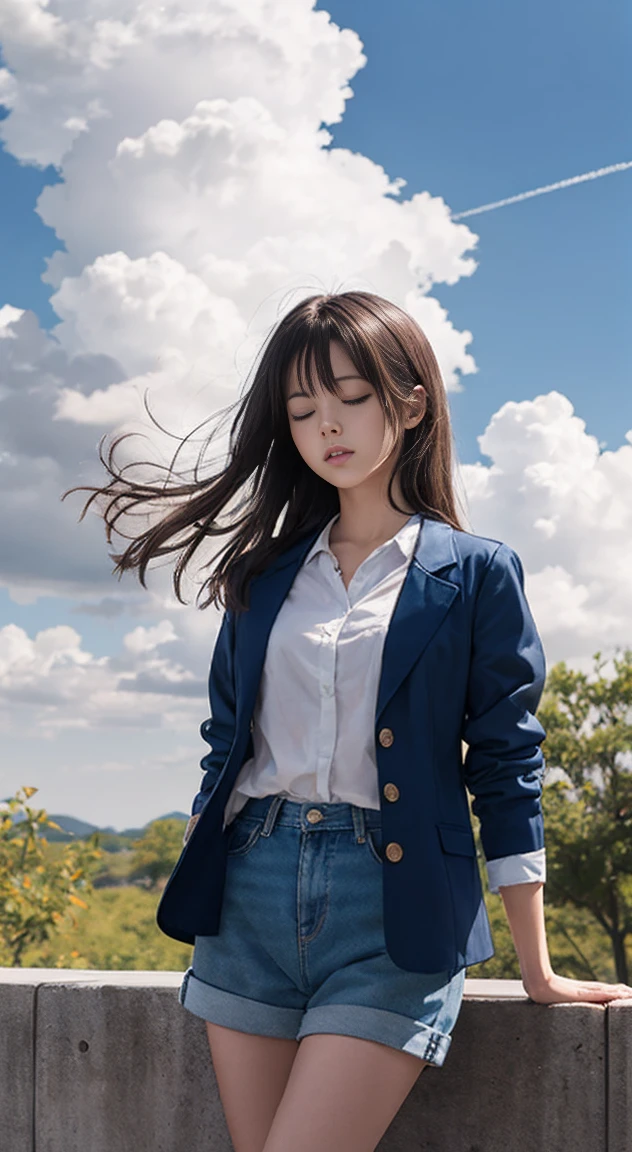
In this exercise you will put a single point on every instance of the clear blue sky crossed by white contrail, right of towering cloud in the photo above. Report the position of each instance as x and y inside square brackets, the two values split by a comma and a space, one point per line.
[476, 103]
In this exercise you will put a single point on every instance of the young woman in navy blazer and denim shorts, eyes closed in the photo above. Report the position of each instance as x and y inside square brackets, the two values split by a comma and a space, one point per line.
[329, 880]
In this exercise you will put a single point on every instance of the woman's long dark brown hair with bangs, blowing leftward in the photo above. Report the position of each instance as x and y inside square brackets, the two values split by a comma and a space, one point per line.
[266, 476]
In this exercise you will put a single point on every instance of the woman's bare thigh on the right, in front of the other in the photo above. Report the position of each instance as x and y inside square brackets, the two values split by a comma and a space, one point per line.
[342, 1095]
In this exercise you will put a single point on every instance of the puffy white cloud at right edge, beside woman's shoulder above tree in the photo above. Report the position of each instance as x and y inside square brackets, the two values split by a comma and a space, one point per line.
[566, 506]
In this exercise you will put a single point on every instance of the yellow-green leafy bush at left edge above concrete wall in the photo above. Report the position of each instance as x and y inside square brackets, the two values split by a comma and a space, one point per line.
[37, 891]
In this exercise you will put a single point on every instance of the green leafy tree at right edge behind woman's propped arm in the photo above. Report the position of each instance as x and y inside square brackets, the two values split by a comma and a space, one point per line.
[589, 816]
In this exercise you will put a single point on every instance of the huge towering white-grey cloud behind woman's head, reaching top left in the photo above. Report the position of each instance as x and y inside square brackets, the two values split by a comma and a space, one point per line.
[200, 200]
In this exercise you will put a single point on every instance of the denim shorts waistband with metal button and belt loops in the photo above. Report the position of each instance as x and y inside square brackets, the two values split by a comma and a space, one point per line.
[334, 816]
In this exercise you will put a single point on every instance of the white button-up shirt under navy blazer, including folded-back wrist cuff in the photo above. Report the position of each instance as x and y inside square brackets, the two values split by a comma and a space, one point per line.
[314, 722]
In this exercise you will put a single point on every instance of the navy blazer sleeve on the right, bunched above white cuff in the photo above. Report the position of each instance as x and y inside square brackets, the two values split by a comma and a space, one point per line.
[505, 766]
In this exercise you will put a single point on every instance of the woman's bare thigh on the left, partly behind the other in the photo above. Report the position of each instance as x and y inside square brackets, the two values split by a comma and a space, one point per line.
[252, 1074]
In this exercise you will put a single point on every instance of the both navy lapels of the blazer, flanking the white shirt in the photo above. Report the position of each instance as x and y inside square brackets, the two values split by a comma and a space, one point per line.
[422, 605]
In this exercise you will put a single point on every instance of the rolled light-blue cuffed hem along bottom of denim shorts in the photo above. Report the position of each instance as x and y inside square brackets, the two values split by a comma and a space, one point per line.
[397, 1032]
